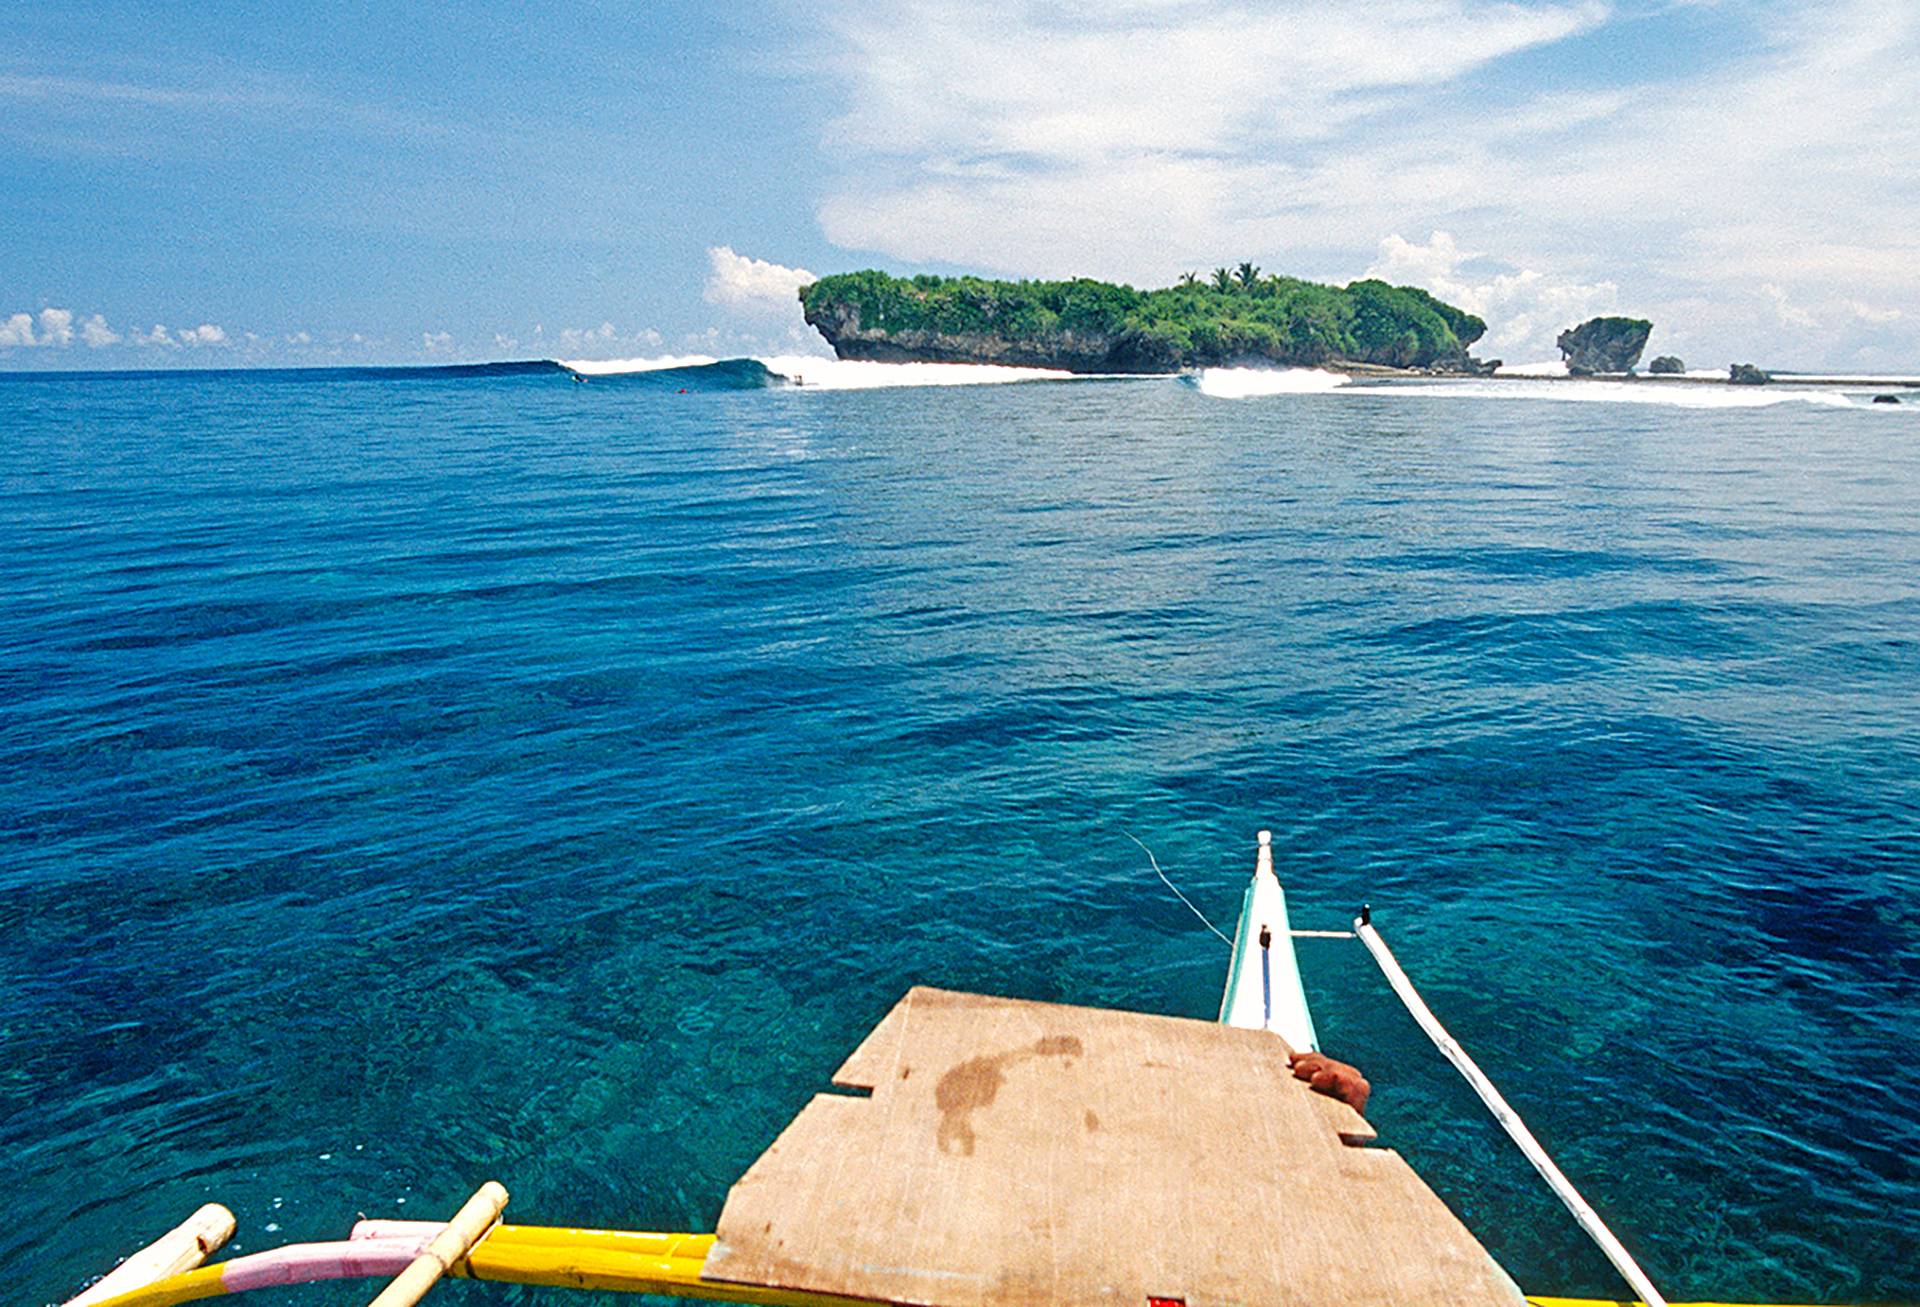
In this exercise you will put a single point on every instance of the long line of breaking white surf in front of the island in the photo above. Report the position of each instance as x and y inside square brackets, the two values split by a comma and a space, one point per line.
[1243, 383]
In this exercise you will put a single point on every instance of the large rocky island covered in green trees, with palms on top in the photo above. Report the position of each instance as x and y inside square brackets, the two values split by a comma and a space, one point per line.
[1237, 318]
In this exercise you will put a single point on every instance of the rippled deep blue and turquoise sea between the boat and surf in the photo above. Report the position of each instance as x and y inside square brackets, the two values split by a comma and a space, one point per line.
[414, 780]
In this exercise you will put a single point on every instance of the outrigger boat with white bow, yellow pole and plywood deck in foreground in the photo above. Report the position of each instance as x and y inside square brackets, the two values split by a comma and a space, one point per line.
[992, 1153]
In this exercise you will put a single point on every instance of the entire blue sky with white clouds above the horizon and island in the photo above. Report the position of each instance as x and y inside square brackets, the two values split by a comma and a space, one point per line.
[239, 185]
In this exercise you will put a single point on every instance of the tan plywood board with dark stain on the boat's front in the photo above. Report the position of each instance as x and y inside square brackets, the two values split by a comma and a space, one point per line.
[1020, 1154]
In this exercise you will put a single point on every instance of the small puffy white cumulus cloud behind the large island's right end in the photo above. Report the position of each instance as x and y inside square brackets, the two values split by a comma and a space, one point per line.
[1525, 310]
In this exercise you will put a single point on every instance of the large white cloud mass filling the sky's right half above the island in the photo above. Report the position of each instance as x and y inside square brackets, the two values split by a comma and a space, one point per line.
[1145, 137]
